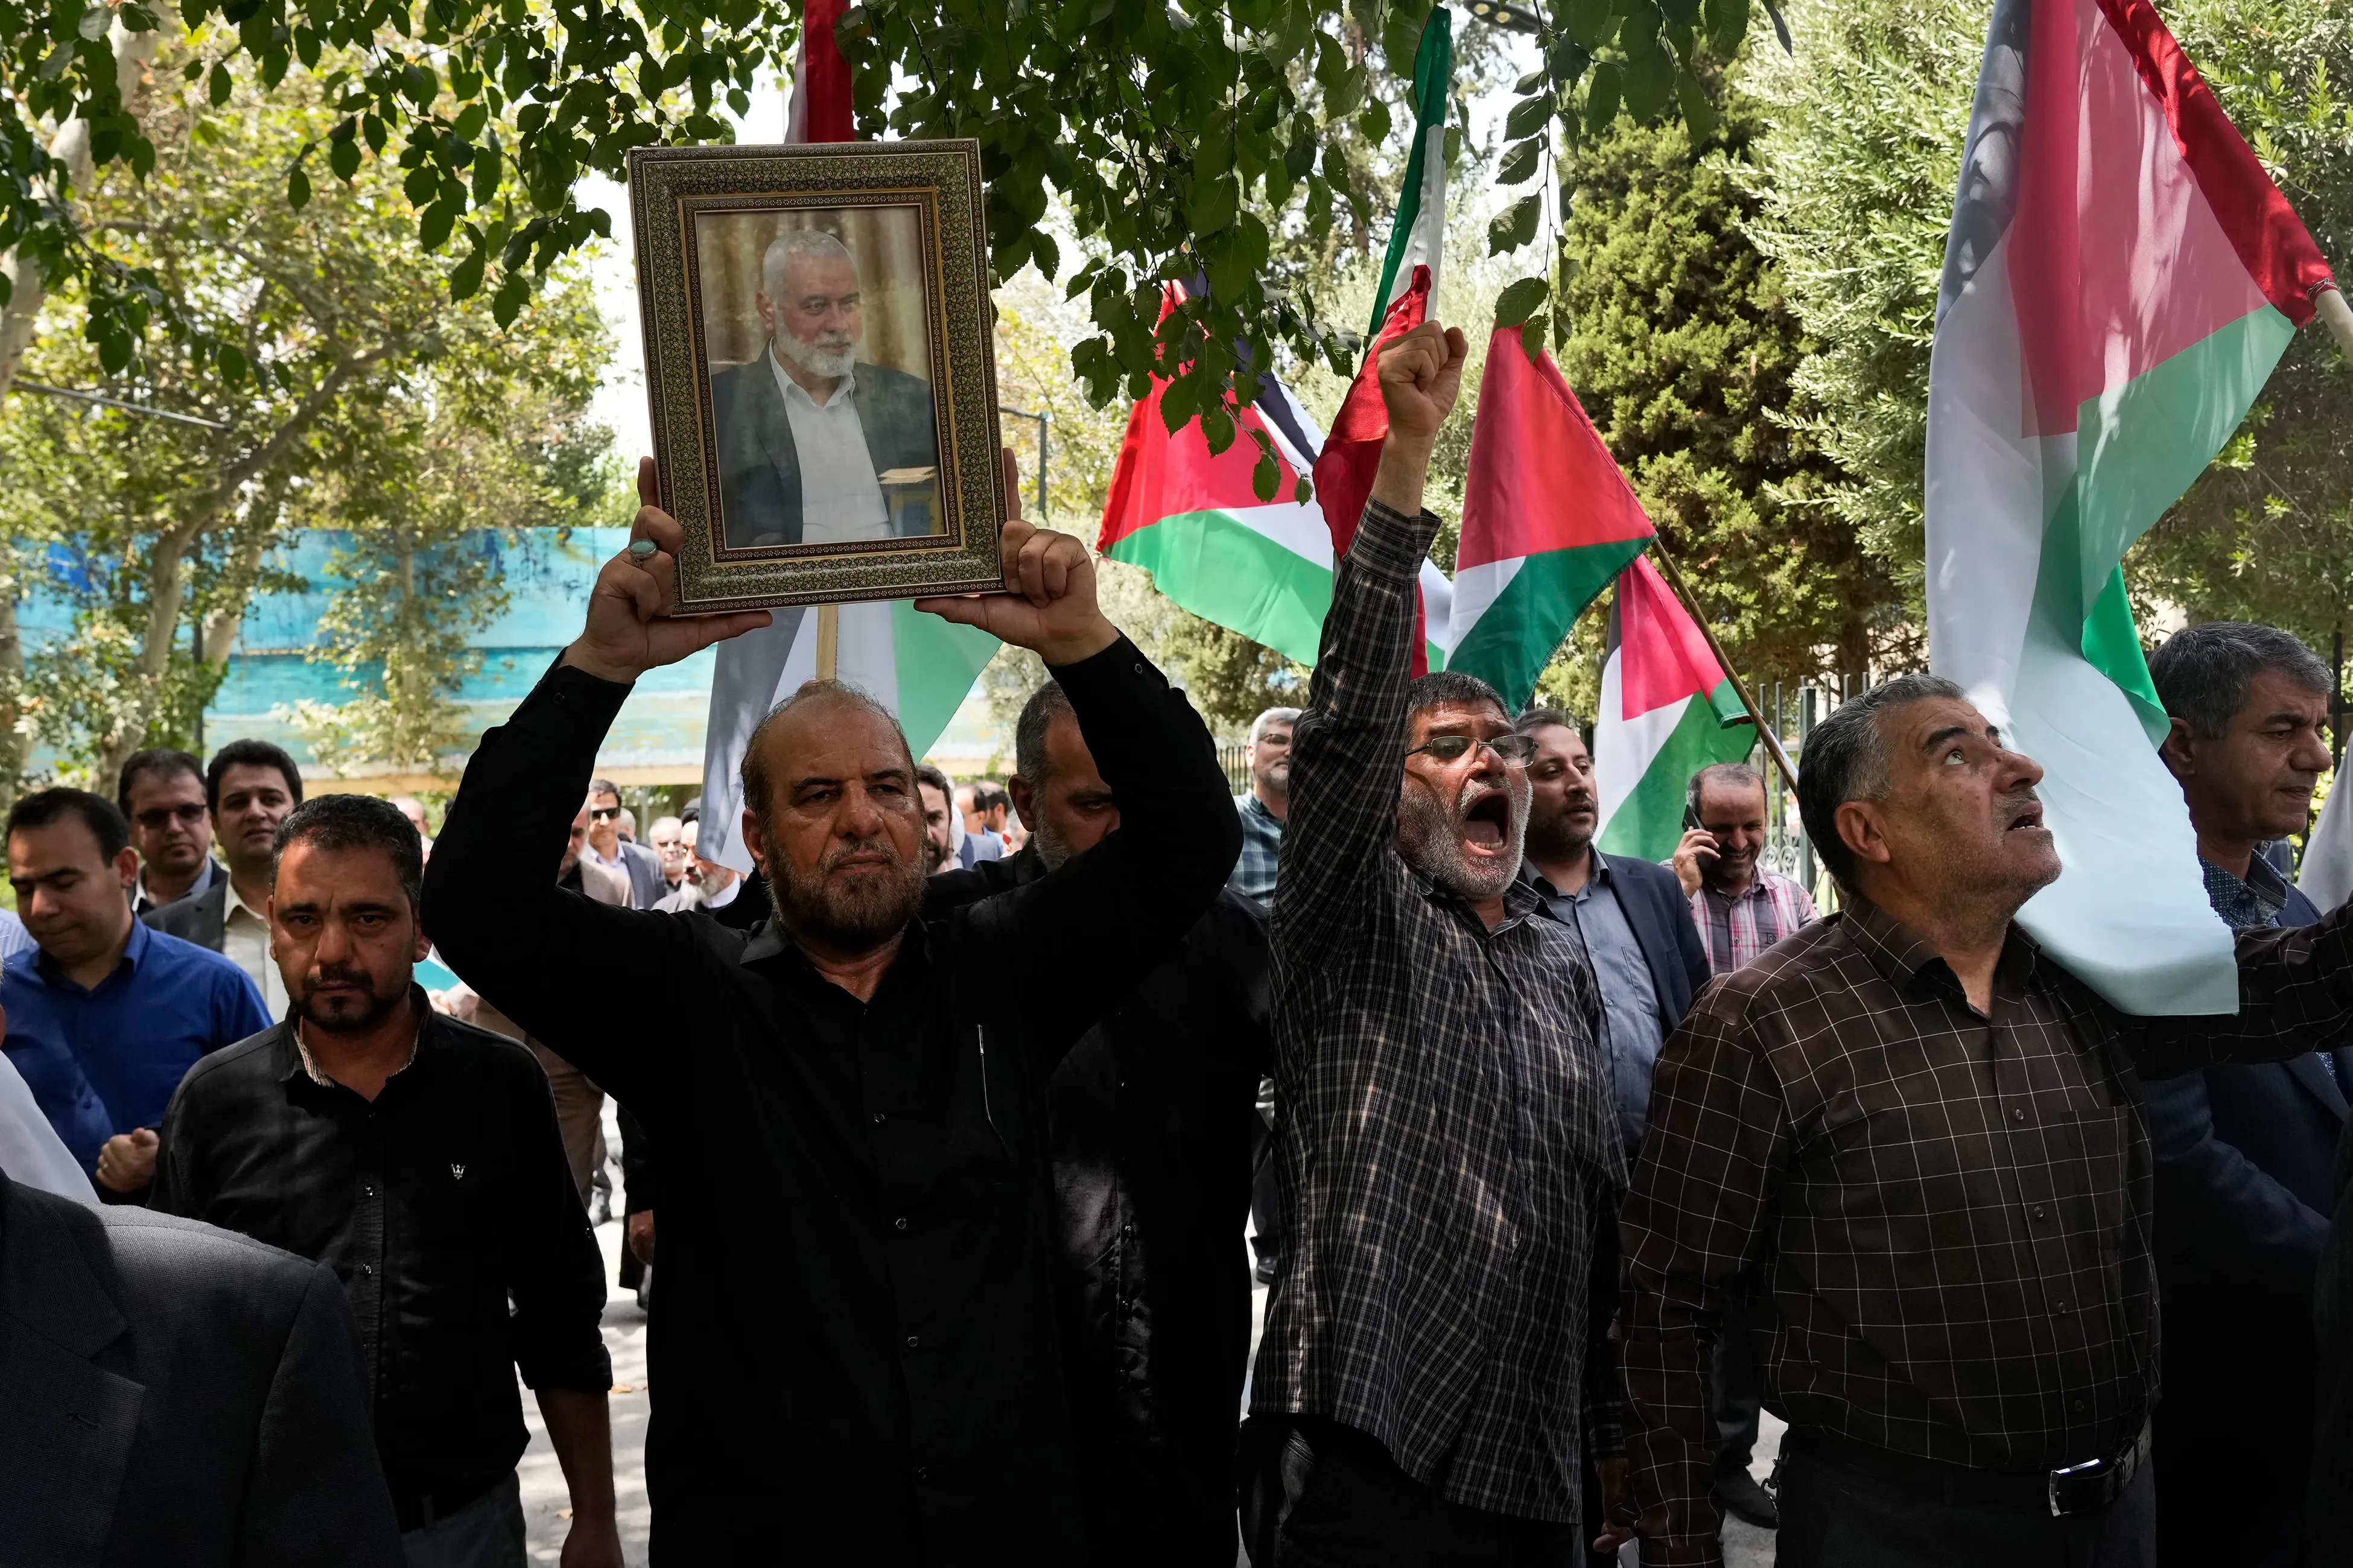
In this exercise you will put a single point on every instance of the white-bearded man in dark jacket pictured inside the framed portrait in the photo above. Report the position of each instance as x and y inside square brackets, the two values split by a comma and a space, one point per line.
[815, 444]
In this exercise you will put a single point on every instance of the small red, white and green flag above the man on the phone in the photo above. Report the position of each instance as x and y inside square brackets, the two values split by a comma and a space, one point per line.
[1667, 712]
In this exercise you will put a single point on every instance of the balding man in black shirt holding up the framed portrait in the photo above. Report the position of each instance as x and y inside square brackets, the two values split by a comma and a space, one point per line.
[858, 1331]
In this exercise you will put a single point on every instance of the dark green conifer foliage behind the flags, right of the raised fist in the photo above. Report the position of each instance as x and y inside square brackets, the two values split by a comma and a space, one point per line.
[1684, 350]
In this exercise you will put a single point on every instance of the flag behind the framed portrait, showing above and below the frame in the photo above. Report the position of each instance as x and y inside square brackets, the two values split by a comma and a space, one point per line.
[916, 665]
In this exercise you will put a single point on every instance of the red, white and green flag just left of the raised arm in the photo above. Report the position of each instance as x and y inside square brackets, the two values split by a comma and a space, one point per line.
[1194, 521]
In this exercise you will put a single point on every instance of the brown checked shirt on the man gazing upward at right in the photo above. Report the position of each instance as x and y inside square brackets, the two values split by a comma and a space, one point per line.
[1938, 1221]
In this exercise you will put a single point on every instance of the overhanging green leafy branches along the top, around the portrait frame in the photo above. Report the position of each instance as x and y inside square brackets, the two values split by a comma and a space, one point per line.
[1180, 135]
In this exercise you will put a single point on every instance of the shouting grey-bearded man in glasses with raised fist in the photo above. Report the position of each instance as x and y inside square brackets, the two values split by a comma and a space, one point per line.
[1432, 1371]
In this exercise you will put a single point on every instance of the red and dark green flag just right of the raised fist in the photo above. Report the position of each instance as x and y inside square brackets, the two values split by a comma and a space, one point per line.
[1547, 521]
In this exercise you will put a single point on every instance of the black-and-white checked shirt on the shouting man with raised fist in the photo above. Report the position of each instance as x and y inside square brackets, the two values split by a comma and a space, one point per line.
[1446, 1136]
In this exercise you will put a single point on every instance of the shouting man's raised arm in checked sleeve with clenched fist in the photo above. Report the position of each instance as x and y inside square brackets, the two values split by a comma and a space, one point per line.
[1349, 743]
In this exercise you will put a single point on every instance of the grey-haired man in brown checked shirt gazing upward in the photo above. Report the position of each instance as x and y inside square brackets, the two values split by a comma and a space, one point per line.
[1914, 1150]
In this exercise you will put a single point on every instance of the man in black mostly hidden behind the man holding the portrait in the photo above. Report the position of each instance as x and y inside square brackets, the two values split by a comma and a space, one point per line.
[1152, 1124]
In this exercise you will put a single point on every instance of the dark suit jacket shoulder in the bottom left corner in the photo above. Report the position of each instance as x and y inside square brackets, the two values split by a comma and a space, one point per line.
[178, 1395]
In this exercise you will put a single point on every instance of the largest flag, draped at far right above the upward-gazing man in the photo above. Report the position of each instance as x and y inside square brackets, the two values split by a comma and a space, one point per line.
[2117, 288]
